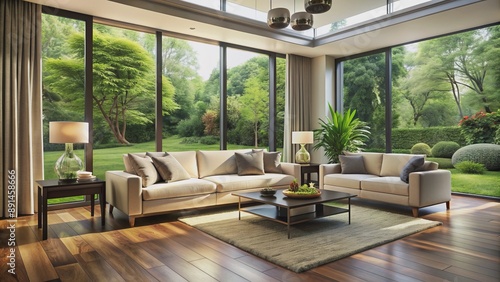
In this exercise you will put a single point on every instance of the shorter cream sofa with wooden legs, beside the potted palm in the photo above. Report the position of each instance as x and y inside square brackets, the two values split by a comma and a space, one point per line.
[382, 181]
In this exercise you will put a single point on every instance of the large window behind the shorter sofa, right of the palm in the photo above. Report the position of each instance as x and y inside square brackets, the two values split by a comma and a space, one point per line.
[435, 86]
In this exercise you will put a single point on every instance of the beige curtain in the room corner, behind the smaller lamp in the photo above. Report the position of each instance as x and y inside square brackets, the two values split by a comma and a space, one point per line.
[297, 102]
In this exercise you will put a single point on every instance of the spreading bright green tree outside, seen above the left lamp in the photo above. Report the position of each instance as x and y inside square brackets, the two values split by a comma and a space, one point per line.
[123, 81]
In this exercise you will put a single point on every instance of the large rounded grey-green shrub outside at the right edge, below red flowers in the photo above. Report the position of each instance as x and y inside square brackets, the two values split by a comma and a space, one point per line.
[486, 154]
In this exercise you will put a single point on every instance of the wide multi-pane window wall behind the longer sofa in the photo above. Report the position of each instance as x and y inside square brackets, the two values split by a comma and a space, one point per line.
[124, 91]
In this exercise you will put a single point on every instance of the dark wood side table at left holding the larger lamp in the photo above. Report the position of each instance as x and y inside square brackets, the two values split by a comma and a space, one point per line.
[50, 189]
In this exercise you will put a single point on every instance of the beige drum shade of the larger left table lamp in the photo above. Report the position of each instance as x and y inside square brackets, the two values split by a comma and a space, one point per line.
[68, 132]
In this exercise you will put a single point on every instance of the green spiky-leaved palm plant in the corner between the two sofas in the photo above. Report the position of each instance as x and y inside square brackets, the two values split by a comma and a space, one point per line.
[339, 133]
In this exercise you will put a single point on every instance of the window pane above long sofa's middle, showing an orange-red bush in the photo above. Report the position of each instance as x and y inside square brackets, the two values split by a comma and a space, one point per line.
[191, 83]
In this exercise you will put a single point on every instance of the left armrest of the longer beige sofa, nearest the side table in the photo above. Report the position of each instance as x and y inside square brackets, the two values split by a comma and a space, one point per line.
[124, 191]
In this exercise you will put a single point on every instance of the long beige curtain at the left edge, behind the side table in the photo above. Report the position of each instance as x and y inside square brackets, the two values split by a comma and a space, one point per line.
[21, 102]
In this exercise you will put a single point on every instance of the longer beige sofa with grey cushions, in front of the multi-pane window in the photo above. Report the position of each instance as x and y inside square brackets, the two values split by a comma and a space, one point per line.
[212, 177]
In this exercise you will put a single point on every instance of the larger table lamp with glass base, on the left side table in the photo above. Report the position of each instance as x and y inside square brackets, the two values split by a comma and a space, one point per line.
[68, 132]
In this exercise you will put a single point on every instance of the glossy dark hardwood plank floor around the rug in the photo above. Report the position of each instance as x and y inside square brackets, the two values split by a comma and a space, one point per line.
[465, 248]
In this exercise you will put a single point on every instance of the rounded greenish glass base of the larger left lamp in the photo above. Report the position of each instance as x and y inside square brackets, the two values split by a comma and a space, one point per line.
[68, 165]
